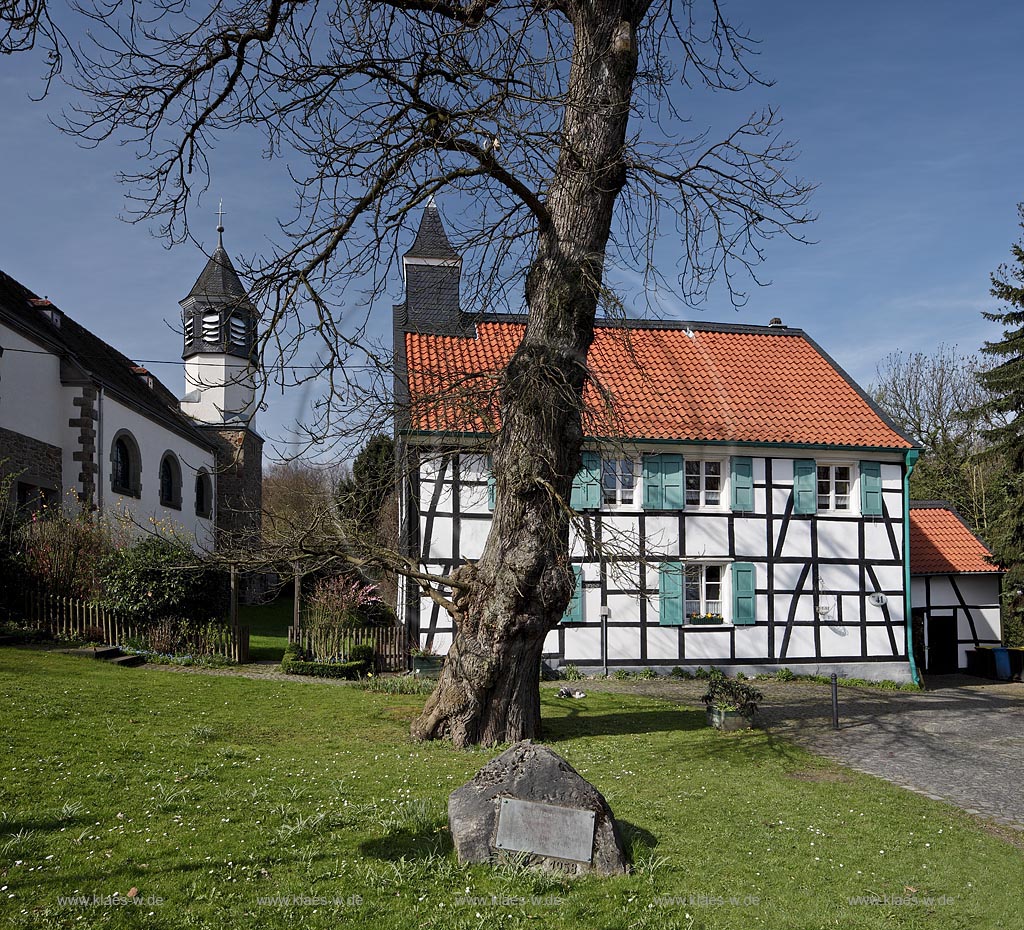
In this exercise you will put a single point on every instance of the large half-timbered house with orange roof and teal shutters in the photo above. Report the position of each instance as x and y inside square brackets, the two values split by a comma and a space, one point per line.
[752, 514]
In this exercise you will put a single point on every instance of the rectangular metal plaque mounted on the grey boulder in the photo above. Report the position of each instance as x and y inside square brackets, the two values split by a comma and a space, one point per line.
[546, 830]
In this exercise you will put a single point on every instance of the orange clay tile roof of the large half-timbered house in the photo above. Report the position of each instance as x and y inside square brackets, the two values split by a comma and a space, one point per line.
[755, 386]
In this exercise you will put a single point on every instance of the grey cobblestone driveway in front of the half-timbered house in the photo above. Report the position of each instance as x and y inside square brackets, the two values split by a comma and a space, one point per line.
[961, 742]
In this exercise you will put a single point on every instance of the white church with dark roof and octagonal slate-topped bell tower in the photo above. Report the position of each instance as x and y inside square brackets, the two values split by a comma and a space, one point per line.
[81, 425]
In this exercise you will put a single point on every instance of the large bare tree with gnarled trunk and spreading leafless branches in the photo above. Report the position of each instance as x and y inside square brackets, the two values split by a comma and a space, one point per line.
[542, 119]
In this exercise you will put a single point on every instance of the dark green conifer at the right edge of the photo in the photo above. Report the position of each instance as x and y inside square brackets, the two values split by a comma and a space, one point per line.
[1005, 384]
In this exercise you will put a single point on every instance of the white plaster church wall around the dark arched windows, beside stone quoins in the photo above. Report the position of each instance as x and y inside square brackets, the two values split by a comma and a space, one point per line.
[154, 441]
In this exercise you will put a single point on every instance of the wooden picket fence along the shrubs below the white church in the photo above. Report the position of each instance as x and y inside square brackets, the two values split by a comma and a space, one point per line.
[70, 617]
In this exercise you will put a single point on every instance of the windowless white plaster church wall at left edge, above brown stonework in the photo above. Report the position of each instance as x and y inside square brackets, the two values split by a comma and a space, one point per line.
[31, 396]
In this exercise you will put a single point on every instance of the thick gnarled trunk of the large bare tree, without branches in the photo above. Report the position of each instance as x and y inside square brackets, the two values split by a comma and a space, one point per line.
[519, 590]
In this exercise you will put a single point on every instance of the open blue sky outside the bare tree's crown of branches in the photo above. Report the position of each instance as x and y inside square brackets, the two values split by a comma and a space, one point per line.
[907, 115]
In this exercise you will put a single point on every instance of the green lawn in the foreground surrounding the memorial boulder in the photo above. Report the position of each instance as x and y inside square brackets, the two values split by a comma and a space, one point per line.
[215, 792]
